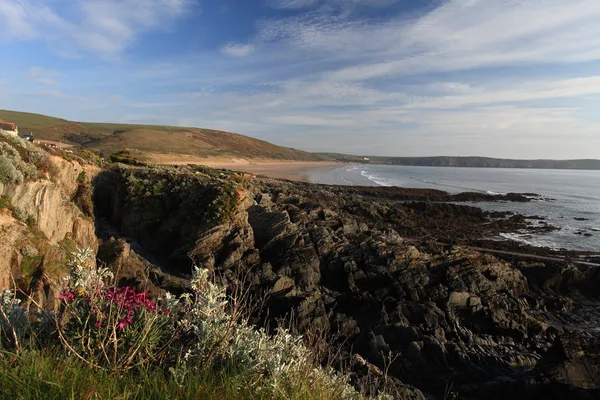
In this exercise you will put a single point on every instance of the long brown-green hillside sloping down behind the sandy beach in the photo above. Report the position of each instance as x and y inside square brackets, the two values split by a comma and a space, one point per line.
[146, 140]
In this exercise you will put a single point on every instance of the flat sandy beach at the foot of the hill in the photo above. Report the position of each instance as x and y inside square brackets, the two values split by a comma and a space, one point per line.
[292, 170]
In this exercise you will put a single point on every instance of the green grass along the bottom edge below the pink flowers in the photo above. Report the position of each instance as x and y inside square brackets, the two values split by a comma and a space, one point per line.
[53, 375]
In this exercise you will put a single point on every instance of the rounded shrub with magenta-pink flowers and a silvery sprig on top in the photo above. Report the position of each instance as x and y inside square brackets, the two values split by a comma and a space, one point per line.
[109, 327]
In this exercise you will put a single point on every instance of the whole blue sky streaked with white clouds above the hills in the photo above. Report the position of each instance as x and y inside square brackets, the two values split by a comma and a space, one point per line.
[497, 78]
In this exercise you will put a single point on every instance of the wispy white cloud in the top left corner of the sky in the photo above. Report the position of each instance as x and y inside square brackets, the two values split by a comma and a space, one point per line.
[104, 27]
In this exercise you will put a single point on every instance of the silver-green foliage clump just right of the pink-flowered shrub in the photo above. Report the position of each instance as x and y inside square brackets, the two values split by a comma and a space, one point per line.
[272, 363]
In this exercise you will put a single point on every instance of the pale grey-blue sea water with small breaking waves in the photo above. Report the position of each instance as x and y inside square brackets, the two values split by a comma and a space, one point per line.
[570, 199]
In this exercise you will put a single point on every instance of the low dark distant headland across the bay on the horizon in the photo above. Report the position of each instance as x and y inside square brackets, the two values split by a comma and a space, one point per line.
[466, 162]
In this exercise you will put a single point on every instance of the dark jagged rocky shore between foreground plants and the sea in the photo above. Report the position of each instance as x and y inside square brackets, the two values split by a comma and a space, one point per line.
[387, 273]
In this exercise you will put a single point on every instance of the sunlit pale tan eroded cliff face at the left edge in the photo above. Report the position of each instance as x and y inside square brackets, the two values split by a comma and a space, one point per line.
[35, 250]
